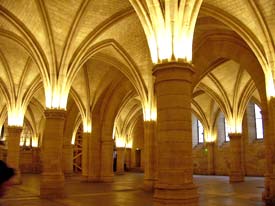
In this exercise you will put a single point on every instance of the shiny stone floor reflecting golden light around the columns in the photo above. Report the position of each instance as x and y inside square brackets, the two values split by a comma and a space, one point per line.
[127, 190]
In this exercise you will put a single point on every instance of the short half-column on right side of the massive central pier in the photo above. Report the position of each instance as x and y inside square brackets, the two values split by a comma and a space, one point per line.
[106, 172]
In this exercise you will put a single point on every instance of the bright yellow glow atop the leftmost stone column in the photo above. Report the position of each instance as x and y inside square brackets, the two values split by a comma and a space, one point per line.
[15, 116]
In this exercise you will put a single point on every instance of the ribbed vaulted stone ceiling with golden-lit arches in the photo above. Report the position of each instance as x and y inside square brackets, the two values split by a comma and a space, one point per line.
[95, 43]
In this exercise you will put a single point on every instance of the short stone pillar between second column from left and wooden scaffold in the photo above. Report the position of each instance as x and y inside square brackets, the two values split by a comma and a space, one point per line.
[67, 159]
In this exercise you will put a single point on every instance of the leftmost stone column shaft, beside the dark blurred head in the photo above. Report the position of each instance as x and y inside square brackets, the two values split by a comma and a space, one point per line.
[13, 155]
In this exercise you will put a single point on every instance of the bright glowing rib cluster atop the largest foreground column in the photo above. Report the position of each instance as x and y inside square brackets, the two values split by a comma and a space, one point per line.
[170, 32]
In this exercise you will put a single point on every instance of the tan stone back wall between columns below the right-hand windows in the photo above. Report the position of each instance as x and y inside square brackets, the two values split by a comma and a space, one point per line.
[252, 151]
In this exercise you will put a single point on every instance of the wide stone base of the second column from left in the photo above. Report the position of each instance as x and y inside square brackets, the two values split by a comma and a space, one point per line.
[52, 186]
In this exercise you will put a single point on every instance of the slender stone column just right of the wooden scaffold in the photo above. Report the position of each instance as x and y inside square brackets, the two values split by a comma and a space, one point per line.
[85, 155]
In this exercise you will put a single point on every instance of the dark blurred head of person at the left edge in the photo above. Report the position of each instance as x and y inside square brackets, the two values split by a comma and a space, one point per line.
[5, 174]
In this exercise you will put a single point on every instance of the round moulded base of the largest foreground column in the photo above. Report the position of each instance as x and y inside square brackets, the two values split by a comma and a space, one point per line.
[176, 196]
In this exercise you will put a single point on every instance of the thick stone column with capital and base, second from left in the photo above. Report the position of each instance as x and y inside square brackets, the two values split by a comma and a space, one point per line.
[52, 182]
